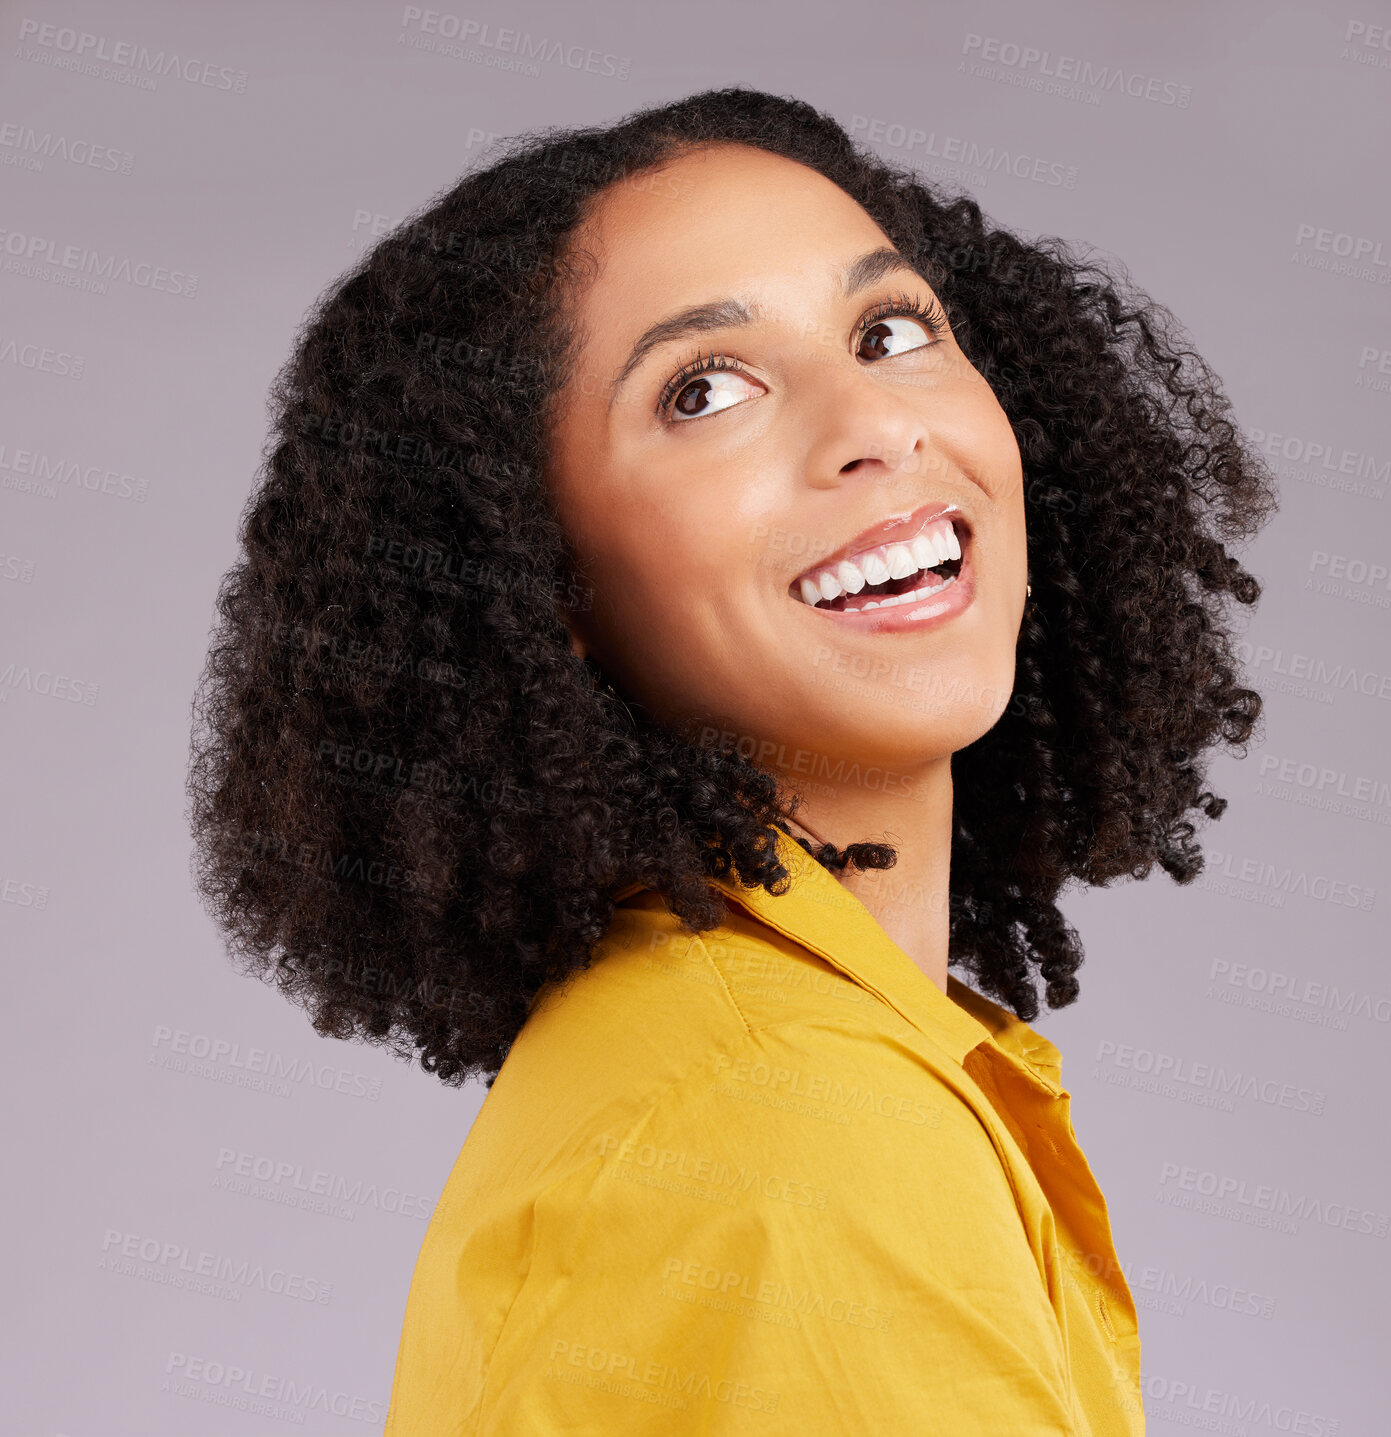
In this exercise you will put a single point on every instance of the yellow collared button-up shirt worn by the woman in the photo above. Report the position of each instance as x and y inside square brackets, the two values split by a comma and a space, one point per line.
[770, 1180]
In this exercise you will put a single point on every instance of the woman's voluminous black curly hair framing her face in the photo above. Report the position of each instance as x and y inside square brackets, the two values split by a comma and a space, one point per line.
[413, 805]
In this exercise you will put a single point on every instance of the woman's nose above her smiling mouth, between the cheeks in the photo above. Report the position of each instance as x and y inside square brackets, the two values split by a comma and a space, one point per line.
[861, 428]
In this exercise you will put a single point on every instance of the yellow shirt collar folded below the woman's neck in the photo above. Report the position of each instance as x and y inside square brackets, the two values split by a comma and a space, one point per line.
[824, 916]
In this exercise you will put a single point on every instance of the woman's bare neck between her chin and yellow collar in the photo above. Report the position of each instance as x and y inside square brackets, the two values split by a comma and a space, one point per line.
[910, 899]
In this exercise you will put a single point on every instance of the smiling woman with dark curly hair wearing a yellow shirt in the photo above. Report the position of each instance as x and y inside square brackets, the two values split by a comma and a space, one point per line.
[705, 586]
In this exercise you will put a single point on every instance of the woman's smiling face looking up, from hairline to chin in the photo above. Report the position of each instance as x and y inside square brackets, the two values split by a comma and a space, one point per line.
[836, 429]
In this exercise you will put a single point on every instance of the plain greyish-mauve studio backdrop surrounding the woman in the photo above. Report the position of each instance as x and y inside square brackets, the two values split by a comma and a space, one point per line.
[1239, 173]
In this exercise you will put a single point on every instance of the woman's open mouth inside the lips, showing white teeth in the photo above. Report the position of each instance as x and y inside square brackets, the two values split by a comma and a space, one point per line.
[889, 576]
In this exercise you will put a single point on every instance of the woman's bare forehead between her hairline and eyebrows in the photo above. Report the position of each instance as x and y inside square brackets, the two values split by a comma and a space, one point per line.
[715, 222]
